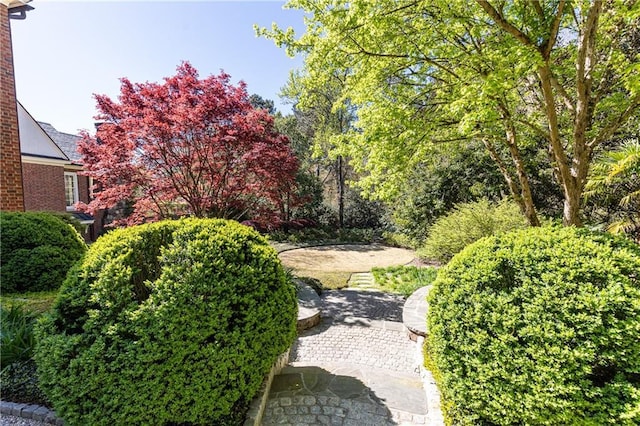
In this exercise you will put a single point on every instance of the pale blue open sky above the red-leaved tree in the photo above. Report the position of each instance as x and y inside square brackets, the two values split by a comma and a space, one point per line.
[65, 51]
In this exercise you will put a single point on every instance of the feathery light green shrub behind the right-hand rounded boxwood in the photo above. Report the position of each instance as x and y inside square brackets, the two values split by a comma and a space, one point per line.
[467, 223]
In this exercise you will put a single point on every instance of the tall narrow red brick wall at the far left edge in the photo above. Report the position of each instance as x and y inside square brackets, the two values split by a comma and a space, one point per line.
[11, 192]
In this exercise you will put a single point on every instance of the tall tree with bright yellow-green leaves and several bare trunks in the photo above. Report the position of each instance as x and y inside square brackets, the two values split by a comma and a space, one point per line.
[507, 73]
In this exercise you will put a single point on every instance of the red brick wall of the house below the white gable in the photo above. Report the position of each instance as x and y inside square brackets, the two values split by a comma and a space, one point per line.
[44, 187]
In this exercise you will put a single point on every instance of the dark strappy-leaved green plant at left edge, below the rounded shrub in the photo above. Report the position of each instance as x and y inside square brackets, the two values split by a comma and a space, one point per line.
[16, 335]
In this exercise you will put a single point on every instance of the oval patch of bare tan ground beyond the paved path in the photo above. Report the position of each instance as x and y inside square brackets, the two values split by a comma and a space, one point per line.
[345, 258]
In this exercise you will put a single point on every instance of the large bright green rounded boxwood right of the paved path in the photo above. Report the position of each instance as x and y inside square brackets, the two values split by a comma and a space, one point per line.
[539, 326]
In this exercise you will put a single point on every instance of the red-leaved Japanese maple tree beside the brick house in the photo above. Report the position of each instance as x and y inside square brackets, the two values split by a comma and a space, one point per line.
[188, 146]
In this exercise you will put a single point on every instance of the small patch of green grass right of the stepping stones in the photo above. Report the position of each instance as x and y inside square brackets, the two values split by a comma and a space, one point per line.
[403, 279]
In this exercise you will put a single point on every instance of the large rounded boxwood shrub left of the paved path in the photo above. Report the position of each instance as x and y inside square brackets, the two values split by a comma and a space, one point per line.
[170, 322]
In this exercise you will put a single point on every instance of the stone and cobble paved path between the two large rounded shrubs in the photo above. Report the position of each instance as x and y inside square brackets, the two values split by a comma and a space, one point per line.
[357, 367]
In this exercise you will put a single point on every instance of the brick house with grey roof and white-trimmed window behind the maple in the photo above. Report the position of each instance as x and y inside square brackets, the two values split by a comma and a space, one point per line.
[50, 166]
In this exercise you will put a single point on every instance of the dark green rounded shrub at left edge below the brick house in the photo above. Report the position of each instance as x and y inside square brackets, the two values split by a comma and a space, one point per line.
[37, 251]
